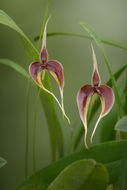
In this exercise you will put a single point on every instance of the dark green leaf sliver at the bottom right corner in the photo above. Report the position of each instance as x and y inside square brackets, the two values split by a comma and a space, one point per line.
[122, 182]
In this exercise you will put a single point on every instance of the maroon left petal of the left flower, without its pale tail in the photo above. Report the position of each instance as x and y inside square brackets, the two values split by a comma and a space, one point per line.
[35, 69]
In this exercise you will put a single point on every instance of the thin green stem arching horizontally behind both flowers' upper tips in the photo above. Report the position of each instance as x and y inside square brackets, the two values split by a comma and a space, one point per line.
[108, 42]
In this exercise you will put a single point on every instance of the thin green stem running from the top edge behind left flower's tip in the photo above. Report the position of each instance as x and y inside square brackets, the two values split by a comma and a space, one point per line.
[43, 24]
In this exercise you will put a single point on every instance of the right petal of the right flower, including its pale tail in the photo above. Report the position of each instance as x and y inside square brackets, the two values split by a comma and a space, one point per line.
[107, 100]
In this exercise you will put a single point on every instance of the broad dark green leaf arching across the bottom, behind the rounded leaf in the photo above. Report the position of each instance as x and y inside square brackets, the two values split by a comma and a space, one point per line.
[105, 153]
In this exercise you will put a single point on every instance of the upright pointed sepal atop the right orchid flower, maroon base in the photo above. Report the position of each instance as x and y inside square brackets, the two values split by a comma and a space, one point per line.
[95, 77]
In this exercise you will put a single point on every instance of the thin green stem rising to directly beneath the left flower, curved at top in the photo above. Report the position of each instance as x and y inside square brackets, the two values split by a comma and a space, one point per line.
[34, 131]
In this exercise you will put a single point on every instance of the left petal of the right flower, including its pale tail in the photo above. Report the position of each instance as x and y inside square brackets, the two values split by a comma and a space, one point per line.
[83, 100]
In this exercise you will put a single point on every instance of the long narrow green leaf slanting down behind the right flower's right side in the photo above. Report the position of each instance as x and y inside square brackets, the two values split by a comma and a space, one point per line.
[99, 44]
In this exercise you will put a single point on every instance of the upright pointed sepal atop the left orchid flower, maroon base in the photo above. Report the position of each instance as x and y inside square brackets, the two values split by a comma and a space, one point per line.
[44, 53]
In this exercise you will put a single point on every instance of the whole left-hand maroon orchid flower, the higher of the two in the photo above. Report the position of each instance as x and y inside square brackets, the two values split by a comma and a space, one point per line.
[37, 71]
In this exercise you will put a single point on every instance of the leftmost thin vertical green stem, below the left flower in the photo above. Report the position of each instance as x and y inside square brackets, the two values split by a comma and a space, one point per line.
[27, 129]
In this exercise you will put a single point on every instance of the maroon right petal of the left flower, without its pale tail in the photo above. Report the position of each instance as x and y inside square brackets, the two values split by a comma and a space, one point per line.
[56, 69]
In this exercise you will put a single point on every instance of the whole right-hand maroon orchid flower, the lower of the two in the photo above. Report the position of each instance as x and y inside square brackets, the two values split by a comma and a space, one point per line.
[87, 92]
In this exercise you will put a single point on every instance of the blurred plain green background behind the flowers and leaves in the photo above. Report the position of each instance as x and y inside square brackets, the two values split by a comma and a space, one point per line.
[108, 18]
